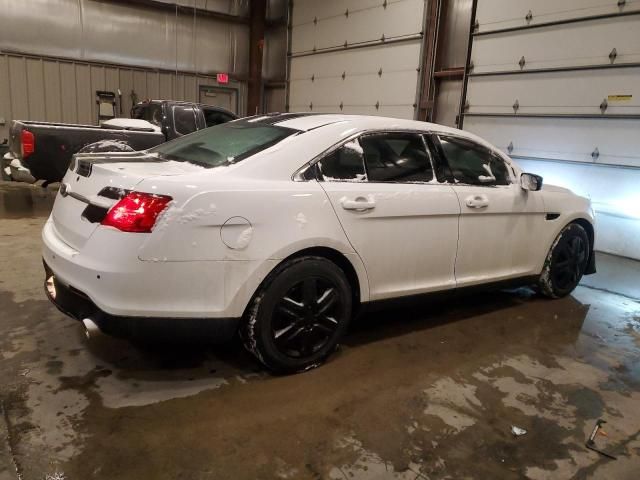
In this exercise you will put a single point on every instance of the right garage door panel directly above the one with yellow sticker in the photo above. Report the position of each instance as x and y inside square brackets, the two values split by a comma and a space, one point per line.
[572, 45]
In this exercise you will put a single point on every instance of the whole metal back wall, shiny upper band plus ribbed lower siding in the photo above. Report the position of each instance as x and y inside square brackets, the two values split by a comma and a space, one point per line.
[85, 45]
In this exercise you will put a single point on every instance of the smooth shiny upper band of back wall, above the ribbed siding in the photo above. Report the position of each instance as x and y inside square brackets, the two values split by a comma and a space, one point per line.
[124, 34]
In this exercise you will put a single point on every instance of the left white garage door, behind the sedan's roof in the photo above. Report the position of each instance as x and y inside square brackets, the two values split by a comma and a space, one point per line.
[357, 56]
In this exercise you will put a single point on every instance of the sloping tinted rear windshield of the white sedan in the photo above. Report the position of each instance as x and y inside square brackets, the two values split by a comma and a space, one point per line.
[222, 144]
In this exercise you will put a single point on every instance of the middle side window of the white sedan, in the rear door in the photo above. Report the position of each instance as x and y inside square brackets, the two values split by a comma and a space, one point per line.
[396, 157]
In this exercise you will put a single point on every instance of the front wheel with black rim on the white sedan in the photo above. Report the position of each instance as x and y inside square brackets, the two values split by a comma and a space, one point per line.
[566, 262]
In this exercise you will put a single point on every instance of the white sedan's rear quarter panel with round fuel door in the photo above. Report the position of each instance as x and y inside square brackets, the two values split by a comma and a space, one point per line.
[251, 226]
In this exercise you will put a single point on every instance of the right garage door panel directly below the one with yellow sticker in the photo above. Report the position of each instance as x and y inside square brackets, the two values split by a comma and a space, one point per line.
[573, 140]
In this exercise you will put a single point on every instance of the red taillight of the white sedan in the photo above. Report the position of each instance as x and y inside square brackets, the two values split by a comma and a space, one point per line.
[137, 212]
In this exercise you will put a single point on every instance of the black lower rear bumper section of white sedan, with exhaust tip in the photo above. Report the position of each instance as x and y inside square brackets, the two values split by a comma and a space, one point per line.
[76, 304]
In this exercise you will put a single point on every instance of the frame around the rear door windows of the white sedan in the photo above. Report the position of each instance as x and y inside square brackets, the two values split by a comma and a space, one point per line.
[300, 174]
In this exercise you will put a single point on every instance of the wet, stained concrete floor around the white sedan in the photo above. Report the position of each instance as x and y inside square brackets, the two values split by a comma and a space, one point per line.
[430, 392]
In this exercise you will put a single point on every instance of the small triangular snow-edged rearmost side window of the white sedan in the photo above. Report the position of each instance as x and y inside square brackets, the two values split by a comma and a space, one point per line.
[345, 164]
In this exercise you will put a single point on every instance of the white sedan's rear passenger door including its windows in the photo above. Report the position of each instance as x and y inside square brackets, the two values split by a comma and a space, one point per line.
[398, 218]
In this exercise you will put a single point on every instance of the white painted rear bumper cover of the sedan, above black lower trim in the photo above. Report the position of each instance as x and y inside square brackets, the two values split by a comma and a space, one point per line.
[107, 269]
